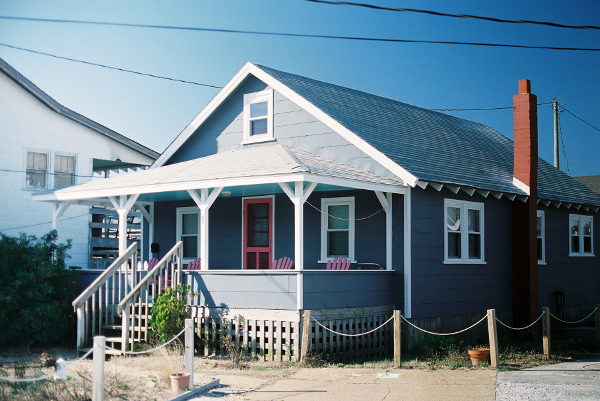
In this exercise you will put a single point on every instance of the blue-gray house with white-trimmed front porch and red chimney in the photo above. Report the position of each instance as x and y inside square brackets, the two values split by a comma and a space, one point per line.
[439, 216]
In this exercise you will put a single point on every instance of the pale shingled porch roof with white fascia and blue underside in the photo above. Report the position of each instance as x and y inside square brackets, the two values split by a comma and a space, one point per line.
[249, 171]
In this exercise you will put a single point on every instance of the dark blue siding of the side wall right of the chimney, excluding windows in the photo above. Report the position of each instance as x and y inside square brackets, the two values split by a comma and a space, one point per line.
[577, 277]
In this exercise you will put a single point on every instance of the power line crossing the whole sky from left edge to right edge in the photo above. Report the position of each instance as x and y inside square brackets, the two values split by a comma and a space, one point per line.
[302, 35]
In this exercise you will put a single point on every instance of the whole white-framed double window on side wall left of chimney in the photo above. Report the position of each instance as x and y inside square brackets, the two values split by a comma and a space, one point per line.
[463, 226]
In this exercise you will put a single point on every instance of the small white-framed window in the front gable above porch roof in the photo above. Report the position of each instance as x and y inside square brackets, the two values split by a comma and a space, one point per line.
[258, 116]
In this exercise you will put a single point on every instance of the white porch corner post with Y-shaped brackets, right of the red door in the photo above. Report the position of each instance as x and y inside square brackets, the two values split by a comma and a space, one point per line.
[298, 197]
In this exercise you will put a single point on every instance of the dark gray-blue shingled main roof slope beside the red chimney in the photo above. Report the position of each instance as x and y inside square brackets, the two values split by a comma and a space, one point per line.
[430, 145]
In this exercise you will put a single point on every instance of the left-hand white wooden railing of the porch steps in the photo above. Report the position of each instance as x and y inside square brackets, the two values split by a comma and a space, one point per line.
[96, 306]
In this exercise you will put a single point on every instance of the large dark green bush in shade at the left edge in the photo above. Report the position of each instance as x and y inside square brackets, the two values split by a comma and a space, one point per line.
[36, 290]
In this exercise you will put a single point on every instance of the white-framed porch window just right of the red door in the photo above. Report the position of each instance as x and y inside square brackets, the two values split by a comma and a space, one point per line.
[337, 228]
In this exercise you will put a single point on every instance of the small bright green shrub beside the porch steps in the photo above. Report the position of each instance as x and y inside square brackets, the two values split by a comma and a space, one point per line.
[169, 311]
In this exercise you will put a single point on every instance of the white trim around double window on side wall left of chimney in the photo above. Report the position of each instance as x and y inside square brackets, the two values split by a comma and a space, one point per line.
[464, 207]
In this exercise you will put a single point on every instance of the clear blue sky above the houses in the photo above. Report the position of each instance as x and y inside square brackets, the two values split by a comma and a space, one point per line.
[154, 111]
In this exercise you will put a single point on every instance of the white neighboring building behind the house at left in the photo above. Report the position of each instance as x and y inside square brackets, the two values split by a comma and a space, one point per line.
[46, 146]
